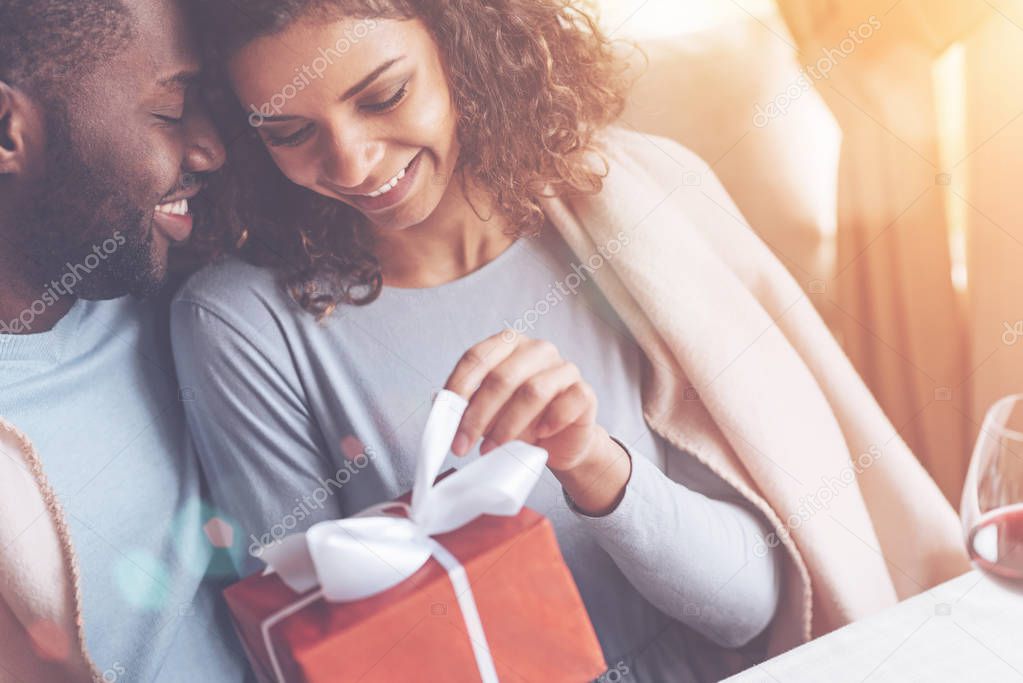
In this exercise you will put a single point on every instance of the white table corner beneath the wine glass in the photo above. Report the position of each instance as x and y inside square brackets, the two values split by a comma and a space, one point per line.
[967, 630]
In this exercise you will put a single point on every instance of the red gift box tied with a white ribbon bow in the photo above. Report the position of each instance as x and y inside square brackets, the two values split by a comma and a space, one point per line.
[535, 622]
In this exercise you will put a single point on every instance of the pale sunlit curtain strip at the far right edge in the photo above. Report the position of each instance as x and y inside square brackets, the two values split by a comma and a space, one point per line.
[989, 187]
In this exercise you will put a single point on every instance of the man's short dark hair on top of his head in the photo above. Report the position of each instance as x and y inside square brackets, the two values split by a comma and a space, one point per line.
[47, 43]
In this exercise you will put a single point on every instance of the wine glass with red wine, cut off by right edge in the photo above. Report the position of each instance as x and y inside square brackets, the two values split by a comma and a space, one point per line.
[993, 500]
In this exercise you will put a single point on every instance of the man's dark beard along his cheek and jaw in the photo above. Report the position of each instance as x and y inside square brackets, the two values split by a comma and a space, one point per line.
[80, 230]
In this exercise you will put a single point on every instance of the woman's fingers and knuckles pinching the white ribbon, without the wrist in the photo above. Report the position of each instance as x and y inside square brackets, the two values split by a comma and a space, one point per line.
[522, 389]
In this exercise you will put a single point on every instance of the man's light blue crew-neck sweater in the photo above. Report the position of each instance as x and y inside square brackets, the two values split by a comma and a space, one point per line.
[98, 397]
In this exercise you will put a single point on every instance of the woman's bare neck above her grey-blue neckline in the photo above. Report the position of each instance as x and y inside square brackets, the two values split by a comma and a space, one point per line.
[450, 245]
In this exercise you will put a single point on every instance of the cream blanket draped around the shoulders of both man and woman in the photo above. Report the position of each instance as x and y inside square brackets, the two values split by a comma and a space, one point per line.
[741, 373]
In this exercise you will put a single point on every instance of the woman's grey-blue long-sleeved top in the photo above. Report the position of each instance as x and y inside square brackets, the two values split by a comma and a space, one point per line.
[285, 404]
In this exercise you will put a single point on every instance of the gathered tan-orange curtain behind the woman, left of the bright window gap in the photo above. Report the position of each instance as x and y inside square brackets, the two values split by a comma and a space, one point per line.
[903, 323]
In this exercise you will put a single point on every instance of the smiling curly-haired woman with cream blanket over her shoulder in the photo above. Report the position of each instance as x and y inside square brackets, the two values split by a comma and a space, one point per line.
[431, 195]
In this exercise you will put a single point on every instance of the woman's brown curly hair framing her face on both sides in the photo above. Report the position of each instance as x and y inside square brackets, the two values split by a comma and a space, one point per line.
[539, 73]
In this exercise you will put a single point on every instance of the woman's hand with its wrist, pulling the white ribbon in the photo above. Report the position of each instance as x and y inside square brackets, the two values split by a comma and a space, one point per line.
[522, 389]
